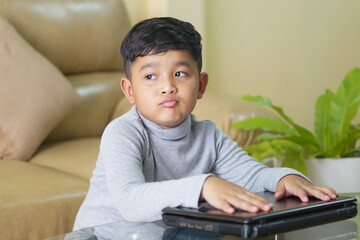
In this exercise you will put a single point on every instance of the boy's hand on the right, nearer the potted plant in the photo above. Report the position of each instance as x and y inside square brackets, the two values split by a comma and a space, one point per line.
[294, 185]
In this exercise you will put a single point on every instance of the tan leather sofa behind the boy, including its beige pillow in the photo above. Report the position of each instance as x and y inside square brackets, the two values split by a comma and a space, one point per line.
[60, 68]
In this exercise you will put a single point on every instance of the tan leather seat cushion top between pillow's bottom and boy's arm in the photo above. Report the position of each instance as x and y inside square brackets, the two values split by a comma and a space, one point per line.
[77, 157]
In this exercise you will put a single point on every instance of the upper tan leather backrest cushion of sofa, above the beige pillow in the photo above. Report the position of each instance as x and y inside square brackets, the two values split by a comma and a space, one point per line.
[75, 35]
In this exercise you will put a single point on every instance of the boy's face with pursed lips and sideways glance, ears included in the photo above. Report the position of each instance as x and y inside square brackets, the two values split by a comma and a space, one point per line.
[165, 86]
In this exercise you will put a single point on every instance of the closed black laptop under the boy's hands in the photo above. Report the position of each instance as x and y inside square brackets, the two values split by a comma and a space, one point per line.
[287, 214]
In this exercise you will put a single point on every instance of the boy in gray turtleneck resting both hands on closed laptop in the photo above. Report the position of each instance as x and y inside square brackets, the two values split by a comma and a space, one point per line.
[157, 155]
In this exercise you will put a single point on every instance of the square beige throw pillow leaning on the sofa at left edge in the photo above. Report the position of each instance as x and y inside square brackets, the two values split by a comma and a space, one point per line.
[34, 96]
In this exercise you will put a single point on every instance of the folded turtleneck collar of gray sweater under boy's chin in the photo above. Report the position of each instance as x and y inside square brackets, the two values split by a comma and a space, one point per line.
[172, 134]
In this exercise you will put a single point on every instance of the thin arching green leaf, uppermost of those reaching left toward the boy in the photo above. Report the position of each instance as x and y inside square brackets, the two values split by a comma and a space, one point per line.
[264, 101]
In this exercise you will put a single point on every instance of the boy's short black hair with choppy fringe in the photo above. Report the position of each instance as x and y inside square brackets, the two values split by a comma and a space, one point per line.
[157, 35]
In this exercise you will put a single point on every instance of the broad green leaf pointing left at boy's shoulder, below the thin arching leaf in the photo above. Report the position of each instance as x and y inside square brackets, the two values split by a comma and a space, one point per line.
[265, 124]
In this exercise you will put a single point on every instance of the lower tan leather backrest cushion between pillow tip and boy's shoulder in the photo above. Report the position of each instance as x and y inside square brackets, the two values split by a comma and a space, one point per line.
[100, 91]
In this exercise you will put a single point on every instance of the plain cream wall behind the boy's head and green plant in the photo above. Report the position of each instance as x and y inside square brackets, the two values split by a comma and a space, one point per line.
[289, 51]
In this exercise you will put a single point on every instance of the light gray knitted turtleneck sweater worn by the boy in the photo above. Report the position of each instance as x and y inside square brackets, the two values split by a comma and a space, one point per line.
[143, 168]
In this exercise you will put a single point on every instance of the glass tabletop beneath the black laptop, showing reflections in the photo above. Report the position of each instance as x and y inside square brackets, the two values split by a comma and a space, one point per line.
[347, 229]
